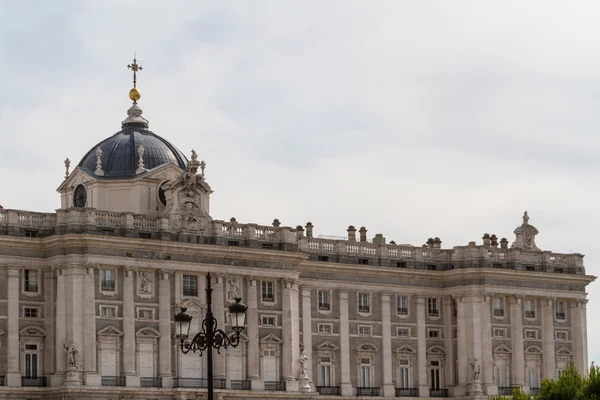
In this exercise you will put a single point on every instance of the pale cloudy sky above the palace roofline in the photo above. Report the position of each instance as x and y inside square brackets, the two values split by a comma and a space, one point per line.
[414, 119]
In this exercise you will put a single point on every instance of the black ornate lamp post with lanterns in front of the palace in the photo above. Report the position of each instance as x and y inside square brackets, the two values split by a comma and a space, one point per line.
[210, 336]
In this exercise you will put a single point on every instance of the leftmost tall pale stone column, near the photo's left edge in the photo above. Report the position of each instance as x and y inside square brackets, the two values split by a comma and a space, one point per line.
[13, 374]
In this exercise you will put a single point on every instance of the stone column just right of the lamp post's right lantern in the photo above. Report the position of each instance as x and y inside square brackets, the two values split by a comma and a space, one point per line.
[256, 382]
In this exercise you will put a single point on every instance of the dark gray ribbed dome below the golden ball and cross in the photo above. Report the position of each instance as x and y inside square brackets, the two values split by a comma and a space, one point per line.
[120, 151]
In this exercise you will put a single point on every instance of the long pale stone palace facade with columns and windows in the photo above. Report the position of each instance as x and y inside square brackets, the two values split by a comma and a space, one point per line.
[88, 294]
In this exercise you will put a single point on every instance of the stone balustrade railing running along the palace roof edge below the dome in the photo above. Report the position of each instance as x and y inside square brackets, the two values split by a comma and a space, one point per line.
[57, 223]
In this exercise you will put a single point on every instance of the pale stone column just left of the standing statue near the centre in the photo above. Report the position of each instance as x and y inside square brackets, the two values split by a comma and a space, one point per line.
[291, 337]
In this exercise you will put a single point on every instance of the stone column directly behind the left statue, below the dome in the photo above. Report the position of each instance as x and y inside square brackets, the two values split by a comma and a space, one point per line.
[74, 295]
